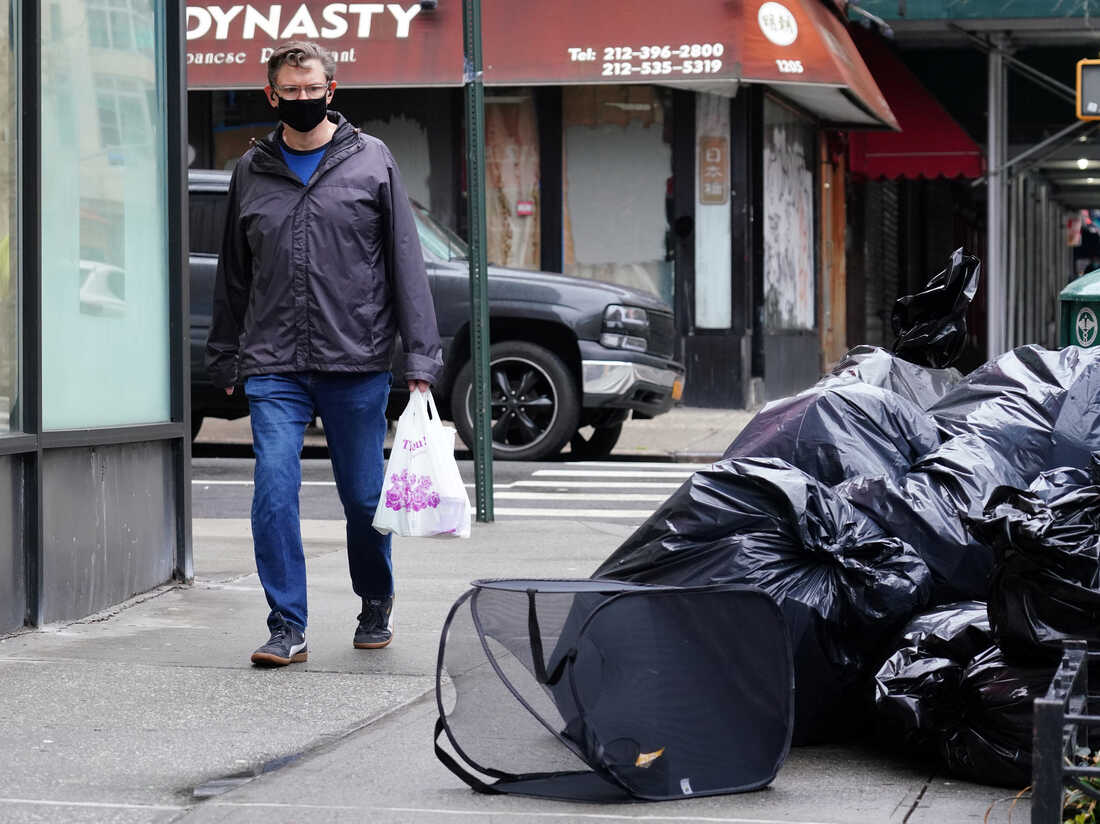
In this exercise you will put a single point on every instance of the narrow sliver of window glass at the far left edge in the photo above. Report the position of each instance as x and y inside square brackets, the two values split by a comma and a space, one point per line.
[9, 236]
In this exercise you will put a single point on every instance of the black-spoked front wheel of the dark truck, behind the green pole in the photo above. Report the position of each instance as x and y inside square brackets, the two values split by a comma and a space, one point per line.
[533, 401]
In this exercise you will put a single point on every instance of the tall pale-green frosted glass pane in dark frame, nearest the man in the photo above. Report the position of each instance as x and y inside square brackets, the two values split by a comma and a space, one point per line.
[105, 265]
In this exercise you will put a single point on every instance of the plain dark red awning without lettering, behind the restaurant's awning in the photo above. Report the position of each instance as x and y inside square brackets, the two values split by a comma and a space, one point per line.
[930, 145]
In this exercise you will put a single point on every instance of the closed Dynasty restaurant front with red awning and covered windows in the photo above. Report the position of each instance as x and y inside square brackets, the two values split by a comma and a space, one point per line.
[677, 149]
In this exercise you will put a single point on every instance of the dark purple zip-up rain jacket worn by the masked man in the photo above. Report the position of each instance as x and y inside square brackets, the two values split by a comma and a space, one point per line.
[320, 277]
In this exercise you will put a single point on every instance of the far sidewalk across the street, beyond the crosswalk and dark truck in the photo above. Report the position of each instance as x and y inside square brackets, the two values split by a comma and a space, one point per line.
[684, 434]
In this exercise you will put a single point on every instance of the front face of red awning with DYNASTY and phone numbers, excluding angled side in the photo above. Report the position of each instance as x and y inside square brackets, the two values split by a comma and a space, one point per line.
[402, 45]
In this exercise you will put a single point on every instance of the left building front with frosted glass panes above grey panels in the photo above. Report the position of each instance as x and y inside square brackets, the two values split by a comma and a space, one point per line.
[94, 455]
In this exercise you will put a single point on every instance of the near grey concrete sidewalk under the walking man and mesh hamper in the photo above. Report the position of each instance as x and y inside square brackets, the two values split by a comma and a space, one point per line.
[152, 713]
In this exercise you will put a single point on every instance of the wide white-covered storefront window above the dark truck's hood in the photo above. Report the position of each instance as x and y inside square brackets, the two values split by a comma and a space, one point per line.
[619, 185]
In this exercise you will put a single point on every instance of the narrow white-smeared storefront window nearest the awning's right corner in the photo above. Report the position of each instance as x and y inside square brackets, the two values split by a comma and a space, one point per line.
[789, 152]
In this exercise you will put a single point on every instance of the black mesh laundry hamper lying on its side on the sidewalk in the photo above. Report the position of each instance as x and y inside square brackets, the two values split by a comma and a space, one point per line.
[611, 691]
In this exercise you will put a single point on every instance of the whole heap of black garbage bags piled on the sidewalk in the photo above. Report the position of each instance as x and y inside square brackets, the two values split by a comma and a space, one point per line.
[931, 539]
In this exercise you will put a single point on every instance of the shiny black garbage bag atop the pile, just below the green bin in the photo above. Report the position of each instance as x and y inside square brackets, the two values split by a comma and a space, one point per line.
[1038, 409]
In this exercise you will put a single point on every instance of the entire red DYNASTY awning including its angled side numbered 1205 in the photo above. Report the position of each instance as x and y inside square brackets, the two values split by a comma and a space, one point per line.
[800, 46]
